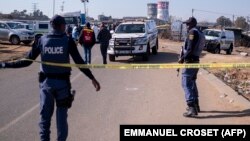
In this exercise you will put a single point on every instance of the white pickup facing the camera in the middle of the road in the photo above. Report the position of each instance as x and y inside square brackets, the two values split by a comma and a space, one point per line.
[134, 38]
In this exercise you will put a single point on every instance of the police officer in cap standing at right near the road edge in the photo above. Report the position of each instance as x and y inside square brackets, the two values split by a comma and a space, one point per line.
[191, 54]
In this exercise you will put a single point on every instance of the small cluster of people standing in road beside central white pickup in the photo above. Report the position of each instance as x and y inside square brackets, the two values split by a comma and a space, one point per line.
[87, 38]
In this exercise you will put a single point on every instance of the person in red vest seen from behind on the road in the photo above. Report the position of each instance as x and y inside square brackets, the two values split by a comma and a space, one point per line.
[87, 40]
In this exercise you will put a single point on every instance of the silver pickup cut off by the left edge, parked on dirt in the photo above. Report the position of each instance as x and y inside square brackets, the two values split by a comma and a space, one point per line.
[11, 31]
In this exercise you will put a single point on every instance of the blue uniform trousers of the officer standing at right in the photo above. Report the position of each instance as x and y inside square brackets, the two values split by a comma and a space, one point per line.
[189, 77]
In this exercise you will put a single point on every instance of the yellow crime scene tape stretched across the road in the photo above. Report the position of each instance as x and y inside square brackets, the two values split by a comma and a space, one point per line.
[147, 66]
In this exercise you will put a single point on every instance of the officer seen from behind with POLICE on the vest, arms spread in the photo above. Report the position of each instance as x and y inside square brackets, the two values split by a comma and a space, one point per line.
[54, 81]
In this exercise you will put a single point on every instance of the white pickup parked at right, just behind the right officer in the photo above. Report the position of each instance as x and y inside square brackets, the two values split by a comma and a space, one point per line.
[217, 40]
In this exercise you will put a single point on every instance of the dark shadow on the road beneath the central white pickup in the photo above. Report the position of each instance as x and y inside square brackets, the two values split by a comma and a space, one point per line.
[160, 58]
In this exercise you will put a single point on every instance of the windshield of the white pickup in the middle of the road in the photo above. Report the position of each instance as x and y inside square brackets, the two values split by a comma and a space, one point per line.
[131, 28]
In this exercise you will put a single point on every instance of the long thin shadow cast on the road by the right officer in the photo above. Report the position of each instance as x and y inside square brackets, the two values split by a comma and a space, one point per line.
[225, 114]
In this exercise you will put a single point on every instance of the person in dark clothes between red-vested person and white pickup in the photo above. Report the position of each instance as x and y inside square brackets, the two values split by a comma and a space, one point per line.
[104, 36]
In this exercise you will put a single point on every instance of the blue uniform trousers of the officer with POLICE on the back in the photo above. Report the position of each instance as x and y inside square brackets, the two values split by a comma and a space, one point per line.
[52, 90]
